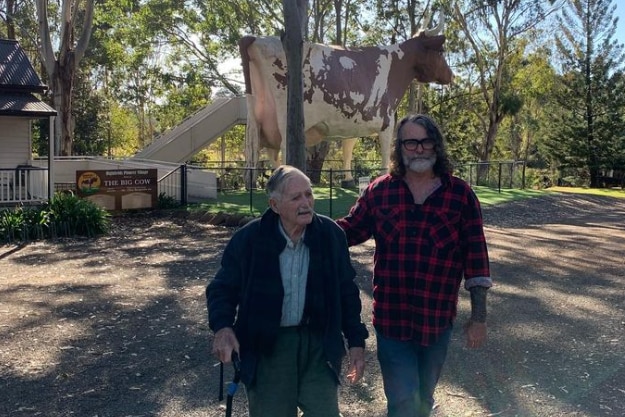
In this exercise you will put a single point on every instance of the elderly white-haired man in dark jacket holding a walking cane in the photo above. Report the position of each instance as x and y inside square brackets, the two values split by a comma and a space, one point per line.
[284, 299]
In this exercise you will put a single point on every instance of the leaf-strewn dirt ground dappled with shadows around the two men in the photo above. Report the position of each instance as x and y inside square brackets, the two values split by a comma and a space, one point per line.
[116, 326]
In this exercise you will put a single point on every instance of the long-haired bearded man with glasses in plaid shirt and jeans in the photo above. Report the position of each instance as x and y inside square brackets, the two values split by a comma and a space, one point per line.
[428, 231]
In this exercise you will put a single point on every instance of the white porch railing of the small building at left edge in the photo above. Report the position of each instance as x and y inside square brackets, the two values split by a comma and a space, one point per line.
[24, 184]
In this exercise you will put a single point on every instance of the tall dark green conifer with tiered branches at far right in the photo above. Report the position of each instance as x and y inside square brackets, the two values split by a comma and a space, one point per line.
[588, 135]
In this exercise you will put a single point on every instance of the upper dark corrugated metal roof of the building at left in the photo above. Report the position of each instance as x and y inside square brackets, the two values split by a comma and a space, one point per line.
[16, 71]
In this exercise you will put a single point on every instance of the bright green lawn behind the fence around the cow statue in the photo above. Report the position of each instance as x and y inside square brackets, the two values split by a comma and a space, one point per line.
[242, 202]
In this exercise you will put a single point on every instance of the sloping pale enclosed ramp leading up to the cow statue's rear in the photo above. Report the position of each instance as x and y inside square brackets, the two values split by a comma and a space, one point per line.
[197, 131]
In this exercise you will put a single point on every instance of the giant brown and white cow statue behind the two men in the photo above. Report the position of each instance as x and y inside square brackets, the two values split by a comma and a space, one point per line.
[348, 93]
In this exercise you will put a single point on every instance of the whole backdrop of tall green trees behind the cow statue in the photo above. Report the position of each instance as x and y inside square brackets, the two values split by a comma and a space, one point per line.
[122, 72]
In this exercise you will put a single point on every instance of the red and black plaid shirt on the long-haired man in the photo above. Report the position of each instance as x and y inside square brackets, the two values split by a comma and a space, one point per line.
[422, 252]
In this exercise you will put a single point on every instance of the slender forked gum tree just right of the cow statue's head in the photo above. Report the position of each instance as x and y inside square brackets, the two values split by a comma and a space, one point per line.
[488, 40]
